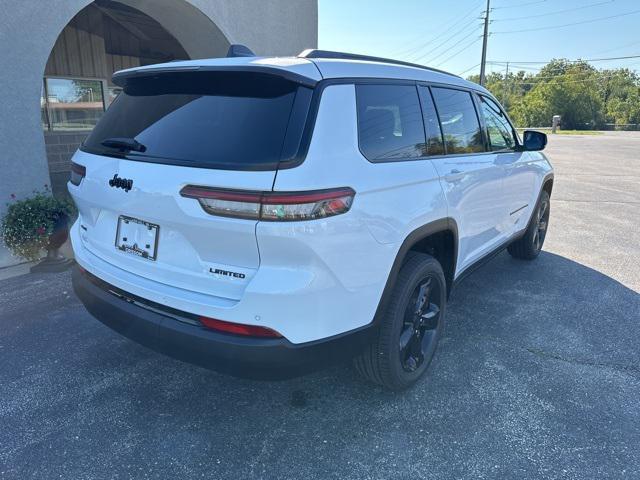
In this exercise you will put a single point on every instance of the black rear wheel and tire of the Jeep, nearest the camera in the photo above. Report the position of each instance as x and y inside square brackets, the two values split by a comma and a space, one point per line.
[420, 286]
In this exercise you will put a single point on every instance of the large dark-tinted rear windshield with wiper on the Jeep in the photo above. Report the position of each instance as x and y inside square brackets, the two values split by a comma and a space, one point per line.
[225, 120]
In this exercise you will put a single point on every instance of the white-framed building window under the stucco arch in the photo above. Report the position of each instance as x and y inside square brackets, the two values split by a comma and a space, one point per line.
[72, 104]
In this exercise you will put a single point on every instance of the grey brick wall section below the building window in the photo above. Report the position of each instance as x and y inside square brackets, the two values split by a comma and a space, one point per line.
[60, 148]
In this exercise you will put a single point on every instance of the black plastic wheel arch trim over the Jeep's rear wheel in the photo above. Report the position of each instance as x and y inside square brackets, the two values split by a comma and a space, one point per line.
[438, 239]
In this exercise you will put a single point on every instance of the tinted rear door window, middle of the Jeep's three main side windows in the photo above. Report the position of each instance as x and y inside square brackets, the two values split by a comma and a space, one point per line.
[462, 133]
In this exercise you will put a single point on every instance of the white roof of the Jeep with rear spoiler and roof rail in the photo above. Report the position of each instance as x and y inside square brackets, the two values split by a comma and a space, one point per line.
[309, 68]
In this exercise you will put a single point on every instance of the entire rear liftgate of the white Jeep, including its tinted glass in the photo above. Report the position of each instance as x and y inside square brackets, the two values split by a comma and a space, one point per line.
[224, 130]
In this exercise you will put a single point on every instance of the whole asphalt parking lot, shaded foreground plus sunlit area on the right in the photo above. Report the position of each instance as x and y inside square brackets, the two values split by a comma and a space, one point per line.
[537, 376]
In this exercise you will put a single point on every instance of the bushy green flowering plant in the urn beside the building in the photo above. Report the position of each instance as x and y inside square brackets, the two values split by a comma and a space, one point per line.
[28, 223]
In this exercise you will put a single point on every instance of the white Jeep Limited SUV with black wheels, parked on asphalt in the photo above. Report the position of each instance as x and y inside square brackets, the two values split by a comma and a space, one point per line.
[266, 216]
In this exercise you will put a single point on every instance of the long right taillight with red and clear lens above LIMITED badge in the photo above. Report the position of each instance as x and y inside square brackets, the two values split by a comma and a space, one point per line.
[272, 206]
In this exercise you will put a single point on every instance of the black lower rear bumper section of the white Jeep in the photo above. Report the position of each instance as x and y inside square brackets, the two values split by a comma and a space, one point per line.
[239, 356]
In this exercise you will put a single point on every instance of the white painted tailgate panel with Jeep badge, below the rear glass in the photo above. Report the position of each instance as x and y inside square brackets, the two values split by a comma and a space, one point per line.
[190, 245]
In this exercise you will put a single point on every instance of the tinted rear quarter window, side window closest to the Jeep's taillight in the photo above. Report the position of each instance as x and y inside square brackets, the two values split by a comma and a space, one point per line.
[389, 122]
